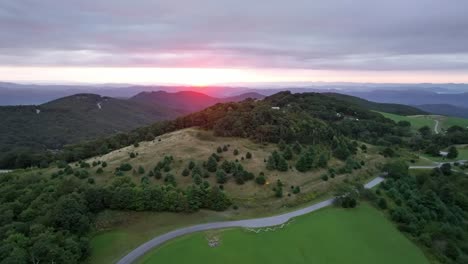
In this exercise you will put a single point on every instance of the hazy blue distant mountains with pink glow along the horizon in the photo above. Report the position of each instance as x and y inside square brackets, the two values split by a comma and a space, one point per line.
[442, 99]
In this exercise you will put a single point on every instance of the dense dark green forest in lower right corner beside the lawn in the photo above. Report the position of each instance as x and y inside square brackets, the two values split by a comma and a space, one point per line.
[432, 207]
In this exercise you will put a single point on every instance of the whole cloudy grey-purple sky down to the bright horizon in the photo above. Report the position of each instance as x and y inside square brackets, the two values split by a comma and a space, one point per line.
[207, 42]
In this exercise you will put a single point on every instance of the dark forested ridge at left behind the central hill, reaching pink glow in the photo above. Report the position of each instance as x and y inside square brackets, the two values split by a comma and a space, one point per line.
[28, 132]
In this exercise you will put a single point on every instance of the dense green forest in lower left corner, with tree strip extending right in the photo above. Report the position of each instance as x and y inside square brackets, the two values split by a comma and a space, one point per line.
[47, 219]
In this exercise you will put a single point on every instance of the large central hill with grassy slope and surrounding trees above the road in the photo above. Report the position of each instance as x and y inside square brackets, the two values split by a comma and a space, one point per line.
[244, 158]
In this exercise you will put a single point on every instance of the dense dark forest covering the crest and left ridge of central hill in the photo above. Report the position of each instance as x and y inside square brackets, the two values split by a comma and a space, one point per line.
[309, 118]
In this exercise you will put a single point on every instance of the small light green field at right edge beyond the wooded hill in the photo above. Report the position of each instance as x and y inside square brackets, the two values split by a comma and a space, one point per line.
[419, 121]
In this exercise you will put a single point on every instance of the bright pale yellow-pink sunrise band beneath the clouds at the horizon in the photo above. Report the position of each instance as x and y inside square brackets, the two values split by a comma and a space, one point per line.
[212, 76]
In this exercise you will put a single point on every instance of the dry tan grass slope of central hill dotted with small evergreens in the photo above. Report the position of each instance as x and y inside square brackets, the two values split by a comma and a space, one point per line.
[197, 145]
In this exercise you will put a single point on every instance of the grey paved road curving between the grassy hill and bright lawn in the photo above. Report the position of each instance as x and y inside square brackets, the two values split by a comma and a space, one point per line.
[249, 223]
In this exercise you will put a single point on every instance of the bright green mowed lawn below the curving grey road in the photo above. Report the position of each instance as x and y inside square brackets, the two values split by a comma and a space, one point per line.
[331, 235]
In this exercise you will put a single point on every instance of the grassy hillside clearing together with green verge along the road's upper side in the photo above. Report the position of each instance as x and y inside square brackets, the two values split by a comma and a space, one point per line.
[119, 232]
